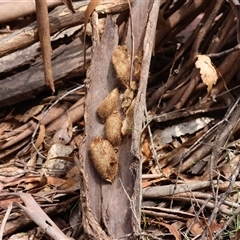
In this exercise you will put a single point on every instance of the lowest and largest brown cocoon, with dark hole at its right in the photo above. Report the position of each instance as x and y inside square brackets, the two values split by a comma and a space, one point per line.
[104, 158]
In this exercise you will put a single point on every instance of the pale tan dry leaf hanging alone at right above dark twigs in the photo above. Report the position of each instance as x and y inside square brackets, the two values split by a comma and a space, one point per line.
[207, 70]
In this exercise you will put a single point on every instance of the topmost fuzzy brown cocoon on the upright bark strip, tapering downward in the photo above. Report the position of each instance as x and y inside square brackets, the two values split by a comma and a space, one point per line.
[121, 63]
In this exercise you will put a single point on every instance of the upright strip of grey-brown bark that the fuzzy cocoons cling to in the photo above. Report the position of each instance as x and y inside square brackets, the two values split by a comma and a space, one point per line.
[116, 206]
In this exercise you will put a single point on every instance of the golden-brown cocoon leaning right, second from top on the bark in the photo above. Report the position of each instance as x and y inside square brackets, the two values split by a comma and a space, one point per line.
[108, 105]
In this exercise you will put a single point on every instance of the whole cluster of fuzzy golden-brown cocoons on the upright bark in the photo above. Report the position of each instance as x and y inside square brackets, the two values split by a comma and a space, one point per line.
[102, 150]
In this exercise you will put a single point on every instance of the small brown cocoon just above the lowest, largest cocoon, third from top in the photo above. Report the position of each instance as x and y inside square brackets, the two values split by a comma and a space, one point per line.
[112, 129]
